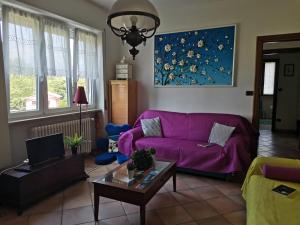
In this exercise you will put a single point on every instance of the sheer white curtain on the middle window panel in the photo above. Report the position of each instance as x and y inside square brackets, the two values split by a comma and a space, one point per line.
[57, 45]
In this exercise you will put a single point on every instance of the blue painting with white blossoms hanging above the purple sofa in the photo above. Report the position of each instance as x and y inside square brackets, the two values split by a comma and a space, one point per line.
[201, 57]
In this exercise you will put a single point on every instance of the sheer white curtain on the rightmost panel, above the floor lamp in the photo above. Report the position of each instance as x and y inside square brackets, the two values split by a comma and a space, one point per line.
[85, 55]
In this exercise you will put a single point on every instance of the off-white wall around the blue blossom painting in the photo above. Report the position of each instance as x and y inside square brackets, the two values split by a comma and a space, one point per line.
[254, 18]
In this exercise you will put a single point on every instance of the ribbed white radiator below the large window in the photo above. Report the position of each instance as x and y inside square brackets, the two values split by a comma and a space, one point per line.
[68, 128]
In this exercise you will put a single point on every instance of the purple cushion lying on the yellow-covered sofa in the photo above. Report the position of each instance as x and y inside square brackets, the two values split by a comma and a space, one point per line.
[281, 173]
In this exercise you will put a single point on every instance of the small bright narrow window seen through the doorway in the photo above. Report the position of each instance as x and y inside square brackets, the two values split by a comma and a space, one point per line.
[269, 78]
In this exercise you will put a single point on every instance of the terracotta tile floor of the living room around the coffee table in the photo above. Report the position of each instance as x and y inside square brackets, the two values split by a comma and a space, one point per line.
[198, 200]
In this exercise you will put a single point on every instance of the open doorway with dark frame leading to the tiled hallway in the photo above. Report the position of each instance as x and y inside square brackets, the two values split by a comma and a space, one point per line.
[277, 95]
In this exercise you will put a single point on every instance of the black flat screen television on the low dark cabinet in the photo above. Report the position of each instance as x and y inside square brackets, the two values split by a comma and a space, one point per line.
[45, 148]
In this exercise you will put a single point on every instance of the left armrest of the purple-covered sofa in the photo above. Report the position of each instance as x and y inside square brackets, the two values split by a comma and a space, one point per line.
[126, 142]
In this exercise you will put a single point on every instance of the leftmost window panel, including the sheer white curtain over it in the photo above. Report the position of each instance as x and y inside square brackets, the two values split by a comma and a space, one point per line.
[20, 48]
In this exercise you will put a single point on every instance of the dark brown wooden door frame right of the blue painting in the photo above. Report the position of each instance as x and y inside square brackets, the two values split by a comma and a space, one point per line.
[259, 69]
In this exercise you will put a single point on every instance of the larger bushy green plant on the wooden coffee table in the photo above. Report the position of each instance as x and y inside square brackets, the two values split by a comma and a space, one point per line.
[143, 159]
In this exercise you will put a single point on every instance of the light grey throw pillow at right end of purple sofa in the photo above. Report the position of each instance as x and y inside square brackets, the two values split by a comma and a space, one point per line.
[220, 134]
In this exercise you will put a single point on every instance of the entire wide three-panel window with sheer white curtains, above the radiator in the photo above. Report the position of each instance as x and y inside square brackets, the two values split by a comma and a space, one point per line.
[45, 60]
